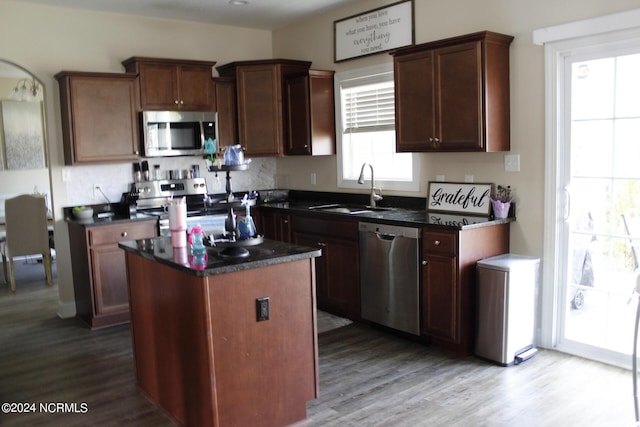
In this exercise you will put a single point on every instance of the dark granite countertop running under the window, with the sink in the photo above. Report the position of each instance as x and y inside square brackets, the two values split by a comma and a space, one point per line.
[395, 216]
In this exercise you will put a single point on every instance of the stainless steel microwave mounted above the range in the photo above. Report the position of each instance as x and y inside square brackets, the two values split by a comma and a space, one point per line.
[177, 133]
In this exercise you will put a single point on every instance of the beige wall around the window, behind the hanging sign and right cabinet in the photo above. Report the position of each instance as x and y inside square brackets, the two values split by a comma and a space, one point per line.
[312, 40]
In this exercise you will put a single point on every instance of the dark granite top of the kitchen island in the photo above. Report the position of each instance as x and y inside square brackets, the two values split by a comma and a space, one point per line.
[269, 252]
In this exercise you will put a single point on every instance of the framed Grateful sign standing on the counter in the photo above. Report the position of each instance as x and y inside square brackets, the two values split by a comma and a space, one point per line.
[460, 197]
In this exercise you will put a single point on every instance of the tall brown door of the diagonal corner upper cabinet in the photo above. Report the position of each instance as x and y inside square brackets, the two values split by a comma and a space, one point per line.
[260, 110]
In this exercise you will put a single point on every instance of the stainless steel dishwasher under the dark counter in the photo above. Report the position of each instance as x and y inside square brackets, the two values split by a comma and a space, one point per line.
[389, 275]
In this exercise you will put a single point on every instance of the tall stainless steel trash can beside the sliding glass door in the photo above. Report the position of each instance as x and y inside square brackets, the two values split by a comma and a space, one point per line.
[506, 308]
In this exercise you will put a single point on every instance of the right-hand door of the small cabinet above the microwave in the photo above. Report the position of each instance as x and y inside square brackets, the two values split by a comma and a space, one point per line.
[195, 88]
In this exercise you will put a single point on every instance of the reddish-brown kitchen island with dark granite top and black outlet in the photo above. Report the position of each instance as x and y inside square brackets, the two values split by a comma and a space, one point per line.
[225, 342]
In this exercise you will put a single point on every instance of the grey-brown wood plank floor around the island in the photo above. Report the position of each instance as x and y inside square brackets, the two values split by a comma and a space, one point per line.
[367, 377]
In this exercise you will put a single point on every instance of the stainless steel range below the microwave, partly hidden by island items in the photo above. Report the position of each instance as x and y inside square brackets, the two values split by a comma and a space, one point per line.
[150, 197]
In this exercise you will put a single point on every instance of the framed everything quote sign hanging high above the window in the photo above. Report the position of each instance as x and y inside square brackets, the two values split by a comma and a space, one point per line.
[376, 31]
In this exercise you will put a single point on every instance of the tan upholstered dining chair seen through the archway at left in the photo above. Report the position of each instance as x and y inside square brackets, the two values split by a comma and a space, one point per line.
[26, 234]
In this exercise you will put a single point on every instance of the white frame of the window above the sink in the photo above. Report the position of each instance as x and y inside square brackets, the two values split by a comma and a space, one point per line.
[367, 75]
